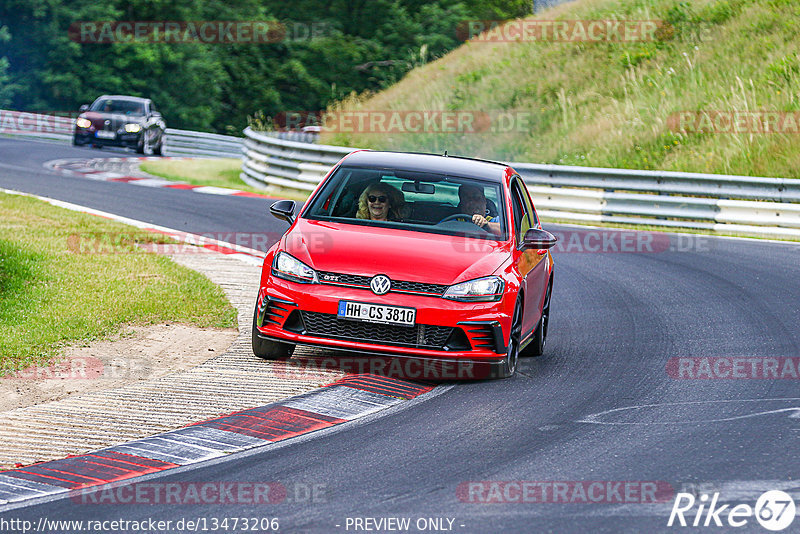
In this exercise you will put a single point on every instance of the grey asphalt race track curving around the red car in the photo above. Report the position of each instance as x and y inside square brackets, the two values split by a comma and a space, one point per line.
[617, 320]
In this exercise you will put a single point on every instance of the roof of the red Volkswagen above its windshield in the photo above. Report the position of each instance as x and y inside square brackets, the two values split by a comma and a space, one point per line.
[433, 163]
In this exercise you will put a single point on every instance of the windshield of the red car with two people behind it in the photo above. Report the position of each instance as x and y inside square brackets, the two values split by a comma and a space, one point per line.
[417, 201]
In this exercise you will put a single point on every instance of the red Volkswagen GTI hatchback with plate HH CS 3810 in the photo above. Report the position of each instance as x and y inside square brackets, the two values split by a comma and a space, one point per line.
[437, 259]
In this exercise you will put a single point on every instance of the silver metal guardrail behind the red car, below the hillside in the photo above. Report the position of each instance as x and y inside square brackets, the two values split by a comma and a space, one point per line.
[742, 204]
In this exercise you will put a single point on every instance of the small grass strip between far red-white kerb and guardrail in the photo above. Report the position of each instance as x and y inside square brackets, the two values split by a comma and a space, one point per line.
[217, 172]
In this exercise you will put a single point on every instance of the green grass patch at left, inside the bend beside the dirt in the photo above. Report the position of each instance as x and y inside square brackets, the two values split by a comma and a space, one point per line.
[68, 278]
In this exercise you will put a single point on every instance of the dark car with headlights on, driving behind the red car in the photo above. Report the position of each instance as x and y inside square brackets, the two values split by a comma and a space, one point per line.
[124, 121]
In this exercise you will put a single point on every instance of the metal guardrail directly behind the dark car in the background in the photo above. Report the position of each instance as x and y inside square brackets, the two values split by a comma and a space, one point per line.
[177, 142]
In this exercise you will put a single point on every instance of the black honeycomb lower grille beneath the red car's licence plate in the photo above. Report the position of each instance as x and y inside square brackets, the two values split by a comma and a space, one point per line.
[422, 336]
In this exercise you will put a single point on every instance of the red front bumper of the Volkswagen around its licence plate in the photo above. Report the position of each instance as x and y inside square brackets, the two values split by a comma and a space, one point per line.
[466, 339]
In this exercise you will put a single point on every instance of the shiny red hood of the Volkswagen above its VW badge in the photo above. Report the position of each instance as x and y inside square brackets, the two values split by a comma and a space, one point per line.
[399, 254]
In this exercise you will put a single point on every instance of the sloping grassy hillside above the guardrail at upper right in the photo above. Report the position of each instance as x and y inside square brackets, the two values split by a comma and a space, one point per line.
[608, 104]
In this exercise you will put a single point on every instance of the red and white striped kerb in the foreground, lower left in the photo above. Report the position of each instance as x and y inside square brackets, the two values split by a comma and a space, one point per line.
[336, 403]
